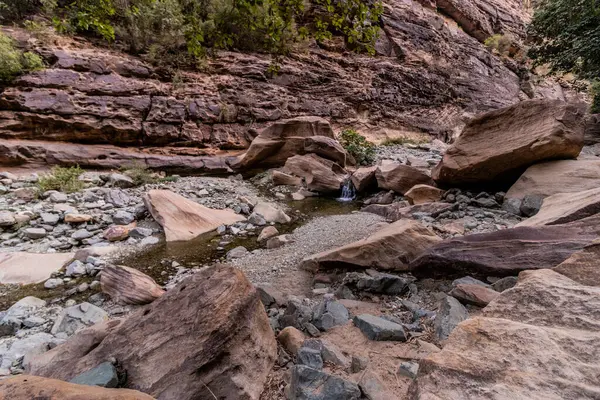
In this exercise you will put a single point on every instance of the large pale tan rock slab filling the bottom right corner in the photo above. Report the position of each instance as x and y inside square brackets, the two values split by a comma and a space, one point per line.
[539, 340]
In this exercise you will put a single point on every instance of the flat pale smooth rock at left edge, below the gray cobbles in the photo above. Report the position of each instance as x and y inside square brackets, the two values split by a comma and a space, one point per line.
[26, 268]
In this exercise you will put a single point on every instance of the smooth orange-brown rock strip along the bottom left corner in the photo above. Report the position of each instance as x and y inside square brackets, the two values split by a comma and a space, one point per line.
[28, 387]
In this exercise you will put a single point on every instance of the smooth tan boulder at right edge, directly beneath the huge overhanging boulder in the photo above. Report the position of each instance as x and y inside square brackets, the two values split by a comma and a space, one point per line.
[563, 176]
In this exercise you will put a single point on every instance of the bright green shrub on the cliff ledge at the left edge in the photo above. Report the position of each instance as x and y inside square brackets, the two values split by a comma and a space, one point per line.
[14, 62]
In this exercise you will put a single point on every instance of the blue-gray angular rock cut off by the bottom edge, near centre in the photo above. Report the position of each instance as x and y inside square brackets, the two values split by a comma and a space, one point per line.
[310, 384]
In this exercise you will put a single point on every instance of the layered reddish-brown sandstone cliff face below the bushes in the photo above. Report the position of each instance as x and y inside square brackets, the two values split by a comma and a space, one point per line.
[427, 73]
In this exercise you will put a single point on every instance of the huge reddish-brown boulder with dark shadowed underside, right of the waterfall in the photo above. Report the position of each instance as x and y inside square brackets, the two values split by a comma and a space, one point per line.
[495, 147]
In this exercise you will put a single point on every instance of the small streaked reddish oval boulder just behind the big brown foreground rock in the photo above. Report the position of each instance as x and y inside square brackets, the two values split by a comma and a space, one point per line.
[129, 285]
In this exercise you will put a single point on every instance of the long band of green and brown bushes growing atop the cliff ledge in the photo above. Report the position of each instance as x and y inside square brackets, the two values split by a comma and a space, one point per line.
[201, 26]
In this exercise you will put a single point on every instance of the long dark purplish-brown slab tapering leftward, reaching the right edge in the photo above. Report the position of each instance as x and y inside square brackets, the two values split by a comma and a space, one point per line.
[508, 251]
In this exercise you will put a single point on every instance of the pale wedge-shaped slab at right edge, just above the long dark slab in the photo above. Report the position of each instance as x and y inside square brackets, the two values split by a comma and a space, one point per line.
[566, 207]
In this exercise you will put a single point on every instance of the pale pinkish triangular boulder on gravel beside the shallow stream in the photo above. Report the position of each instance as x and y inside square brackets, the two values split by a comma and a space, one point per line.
[184, 219]
